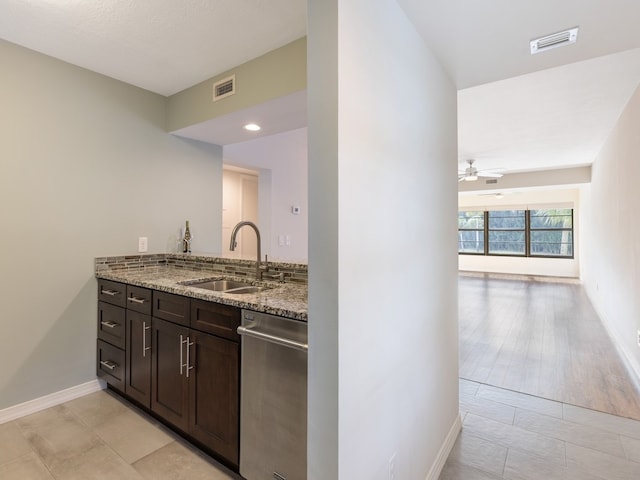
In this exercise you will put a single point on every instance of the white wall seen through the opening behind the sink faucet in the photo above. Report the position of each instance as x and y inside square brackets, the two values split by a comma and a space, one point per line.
[282, 162]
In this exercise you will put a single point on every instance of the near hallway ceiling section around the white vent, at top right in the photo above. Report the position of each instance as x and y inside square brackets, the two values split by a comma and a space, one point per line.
[481, 41]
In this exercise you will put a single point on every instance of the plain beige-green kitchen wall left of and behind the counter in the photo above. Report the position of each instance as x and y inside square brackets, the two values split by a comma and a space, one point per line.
[85, 168]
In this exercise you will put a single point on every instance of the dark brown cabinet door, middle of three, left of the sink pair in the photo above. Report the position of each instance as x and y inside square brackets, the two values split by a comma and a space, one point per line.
[170, 392]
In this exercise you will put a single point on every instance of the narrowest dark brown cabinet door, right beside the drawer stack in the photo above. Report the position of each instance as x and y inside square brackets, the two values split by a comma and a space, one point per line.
[138, 351]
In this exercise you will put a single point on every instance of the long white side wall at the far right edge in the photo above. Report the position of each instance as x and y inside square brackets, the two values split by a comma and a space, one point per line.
[611, 251]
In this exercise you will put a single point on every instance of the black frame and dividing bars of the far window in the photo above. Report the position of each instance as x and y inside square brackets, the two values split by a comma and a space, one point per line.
[527, 230]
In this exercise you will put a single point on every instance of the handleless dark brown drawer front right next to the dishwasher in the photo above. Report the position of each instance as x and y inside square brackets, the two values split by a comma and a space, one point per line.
[215, 318]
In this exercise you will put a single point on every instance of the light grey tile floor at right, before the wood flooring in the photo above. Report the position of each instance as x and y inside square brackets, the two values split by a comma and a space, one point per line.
[510, 435]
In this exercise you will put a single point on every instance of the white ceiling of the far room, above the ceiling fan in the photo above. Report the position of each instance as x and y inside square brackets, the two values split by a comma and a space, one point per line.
[559, 117]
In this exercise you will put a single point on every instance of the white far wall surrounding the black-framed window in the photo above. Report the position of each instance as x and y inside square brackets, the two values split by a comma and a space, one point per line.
[534, 198]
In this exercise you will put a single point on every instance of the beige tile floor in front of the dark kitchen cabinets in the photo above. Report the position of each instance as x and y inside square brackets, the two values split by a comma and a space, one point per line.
[99, 437]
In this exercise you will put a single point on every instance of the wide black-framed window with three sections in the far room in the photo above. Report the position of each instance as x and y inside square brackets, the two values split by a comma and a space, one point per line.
[527, 233]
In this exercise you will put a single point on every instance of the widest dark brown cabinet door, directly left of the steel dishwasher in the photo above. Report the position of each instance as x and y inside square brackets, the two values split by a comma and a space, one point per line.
[214, 394]
